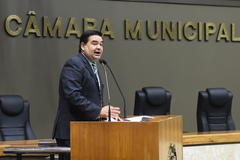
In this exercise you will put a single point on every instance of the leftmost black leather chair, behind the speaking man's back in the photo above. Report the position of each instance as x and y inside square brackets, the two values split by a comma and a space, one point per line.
[14, 119]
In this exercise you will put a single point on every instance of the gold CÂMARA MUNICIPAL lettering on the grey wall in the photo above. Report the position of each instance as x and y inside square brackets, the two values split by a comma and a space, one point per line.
[190, 31]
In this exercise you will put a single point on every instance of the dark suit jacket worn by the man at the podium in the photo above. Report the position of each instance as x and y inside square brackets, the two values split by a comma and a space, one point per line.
[79, 96]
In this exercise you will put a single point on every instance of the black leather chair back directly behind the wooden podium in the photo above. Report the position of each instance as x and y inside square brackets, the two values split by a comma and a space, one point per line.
[152, 101]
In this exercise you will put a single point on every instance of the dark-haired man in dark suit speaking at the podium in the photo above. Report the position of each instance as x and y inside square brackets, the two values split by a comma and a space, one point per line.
[80, 89]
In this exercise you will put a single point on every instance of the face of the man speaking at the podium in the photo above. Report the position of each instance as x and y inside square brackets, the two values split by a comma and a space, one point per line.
[94, 48]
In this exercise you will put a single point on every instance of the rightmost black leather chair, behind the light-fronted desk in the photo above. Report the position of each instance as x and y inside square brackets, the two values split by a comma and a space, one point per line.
[214, 110]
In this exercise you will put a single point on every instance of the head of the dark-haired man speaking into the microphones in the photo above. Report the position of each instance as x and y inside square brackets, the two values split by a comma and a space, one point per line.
[91, 44]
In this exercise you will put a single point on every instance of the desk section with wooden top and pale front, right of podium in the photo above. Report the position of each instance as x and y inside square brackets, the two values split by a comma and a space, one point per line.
[211, 145]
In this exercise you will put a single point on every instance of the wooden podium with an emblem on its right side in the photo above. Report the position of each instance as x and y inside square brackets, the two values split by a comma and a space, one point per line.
[149, 140]
